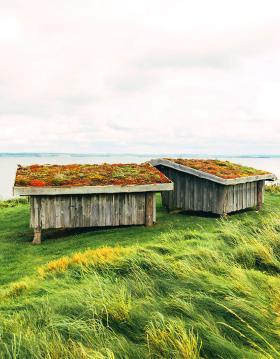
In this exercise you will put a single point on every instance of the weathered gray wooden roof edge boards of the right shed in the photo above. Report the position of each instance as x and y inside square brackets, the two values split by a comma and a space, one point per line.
[208, 176]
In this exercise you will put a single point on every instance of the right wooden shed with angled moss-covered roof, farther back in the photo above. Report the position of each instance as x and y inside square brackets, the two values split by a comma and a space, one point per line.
[213, 186]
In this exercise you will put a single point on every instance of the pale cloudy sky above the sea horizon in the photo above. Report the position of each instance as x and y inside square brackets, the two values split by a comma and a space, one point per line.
[149, 76]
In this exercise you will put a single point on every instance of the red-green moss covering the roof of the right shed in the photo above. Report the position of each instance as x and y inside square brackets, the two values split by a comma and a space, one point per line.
[222, 169]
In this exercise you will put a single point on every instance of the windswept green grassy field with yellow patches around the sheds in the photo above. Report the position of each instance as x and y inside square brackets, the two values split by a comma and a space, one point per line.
[189, 287]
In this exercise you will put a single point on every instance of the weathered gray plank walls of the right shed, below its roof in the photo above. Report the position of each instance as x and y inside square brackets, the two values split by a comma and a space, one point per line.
[192, 193]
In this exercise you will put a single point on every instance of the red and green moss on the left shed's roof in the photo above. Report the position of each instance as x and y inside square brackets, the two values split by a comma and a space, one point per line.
[88, 175]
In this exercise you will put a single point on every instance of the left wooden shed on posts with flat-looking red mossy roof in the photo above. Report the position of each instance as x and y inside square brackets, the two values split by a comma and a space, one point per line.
[72, 196]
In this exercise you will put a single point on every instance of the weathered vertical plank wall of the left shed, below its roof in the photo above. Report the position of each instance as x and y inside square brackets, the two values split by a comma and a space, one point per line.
[73, 211]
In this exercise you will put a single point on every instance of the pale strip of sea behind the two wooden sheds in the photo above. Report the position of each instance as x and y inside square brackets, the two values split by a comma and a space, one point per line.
[9, 162]
